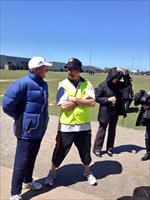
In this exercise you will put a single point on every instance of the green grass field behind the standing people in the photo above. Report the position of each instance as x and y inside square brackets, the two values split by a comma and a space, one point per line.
[139, 82]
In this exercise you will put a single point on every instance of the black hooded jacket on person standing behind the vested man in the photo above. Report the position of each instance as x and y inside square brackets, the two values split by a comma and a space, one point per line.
[108, 89]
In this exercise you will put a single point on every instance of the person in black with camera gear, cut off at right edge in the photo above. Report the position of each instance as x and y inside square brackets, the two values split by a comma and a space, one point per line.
[143, 118]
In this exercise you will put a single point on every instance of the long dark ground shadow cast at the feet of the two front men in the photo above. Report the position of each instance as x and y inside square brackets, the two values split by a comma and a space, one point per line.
[73, 173]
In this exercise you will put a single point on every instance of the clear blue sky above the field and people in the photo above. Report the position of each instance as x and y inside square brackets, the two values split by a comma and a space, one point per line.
[104, 33]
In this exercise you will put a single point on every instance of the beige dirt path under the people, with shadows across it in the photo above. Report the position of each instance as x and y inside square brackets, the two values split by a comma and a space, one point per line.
[117, 176]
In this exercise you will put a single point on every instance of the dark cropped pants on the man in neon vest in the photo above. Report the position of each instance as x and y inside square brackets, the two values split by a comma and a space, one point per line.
[64, 141]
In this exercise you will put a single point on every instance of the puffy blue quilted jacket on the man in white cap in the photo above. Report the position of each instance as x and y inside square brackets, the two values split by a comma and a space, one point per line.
[26, 100]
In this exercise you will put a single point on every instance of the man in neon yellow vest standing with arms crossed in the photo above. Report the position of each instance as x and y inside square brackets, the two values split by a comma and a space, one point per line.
[74, 97]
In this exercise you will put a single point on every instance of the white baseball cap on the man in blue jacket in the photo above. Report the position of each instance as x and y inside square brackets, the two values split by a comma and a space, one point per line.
[38, 61]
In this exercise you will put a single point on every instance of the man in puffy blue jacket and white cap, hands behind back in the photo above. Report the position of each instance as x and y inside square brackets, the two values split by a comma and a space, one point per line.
[26, 101]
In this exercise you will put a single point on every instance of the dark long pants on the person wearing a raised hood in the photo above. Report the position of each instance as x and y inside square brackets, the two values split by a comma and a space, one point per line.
[99, 140]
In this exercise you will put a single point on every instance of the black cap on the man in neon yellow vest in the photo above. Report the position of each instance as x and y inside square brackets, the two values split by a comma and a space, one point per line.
[75, 64]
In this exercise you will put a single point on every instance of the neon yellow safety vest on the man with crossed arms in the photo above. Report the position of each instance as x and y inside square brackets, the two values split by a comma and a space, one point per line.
[79, 114]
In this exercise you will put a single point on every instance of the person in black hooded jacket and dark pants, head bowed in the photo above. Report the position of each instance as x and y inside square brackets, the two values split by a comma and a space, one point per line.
[109, 96]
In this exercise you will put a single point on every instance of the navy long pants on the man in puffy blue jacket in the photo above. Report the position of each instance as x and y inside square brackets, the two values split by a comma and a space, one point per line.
[26, 152]
